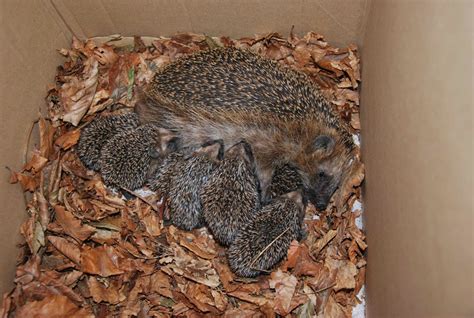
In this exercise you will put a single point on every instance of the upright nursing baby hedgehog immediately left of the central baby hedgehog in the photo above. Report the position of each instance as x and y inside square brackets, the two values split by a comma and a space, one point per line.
[180, 180]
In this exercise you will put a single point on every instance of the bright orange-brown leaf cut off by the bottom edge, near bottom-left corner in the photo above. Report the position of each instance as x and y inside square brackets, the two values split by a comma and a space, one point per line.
[55, 306]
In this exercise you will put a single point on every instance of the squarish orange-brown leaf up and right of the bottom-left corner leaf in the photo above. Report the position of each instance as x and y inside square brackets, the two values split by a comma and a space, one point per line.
[102, 260]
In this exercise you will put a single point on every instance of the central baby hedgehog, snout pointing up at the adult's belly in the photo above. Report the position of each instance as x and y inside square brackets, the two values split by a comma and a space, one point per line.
[231, 195]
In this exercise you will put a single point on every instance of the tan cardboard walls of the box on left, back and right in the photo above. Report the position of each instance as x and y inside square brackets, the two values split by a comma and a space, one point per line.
[416, 120]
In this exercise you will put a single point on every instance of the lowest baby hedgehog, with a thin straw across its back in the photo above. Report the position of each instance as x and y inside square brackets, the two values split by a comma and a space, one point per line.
[264, 242]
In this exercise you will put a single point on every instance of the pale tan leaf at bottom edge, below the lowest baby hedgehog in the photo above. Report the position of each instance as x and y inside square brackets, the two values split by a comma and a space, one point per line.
[285, 285]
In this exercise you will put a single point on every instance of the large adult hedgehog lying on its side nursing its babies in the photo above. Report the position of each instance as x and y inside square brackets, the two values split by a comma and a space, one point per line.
[232, 94]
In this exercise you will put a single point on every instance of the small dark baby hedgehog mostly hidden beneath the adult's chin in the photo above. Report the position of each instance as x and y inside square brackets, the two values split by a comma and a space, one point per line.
[285, 179]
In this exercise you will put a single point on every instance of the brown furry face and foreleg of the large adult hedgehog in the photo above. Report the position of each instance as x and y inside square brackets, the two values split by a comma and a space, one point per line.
[322, 156]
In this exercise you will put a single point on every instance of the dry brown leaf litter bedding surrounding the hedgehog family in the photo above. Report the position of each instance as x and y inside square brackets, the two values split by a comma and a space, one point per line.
[88, 251]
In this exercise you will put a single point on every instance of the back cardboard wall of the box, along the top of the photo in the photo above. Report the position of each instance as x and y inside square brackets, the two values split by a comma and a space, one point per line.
[340, 21]
